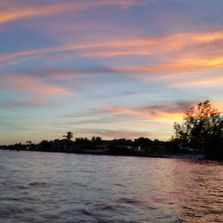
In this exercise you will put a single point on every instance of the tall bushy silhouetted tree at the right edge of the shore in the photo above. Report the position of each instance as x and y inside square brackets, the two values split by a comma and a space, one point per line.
[202, 129]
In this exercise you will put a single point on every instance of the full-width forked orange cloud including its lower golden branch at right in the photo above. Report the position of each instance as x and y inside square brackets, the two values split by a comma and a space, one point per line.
[182, 49]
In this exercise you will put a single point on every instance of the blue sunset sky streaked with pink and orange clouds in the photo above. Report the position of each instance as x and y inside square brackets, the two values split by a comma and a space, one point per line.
[109, 68]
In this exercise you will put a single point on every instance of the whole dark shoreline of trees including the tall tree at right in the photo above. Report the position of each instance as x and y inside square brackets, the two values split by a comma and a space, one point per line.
[201, 132]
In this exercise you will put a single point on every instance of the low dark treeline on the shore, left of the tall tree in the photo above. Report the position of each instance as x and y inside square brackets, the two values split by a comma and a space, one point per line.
[96, 145]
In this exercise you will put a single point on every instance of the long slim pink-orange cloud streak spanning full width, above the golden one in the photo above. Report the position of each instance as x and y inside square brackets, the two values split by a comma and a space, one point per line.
[127, 46]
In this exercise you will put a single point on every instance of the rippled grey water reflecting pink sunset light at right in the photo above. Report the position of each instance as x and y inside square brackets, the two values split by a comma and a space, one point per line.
[53, 187]
